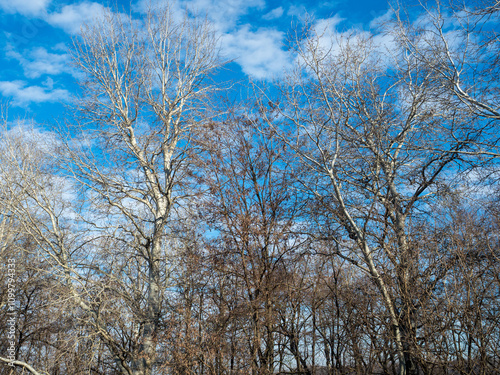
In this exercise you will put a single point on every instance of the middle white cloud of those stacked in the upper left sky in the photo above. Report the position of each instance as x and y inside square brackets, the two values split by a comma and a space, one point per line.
[39, 61]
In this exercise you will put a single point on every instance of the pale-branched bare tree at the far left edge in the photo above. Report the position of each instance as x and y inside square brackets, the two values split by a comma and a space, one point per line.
[37, 215]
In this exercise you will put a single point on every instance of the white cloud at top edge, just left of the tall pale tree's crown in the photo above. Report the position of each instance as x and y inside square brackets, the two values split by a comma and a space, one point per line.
[72, 17]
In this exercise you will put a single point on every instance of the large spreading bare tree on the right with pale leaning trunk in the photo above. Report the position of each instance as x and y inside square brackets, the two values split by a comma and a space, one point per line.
[365, 121]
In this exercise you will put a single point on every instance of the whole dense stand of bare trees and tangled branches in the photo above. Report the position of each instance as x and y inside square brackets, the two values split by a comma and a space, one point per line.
[345, 221]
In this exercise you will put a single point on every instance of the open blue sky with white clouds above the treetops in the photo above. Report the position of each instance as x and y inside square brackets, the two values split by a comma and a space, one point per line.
[37, 79]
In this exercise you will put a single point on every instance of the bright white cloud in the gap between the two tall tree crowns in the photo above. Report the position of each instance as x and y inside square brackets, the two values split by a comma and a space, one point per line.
[259, 53]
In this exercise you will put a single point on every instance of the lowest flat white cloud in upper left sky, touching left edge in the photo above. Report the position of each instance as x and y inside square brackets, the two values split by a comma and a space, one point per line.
[22, 95]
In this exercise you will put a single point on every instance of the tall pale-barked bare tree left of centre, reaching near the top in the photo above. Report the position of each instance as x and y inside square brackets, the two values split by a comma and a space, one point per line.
[145, 92]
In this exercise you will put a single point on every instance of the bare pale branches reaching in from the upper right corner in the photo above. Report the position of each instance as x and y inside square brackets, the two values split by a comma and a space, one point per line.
[459, 46]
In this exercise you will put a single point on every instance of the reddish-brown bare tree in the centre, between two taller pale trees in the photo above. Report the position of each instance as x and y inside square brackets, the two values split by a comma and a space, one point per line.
[252, 206]
